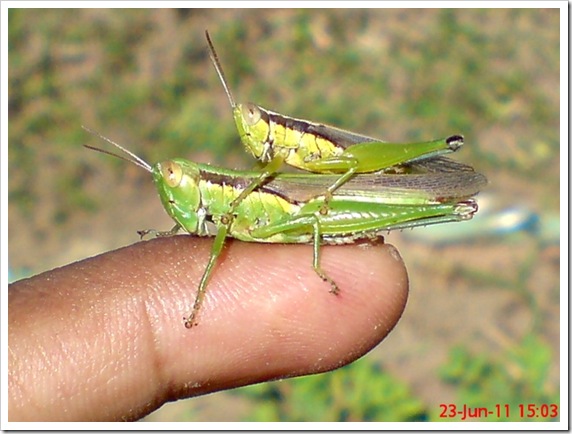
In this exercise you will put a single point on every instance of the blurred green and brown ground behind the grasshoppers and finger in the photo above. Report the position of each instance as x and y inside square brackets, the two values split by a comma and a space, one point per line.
[482, 323]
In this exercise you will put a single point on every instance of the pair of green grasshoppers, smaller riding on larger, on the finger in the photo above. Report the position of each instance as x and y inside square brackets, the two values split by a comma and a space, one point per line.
[361, 188]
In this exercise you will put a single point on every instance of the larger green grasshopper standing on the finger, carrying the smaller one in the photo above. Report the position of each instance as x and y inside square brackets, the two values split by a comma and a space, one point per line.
[286, 208]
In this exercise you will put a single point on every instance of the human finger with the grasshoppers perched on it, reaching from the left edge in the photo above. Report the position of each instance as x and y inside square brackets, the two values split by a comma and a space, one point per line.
[103, 339]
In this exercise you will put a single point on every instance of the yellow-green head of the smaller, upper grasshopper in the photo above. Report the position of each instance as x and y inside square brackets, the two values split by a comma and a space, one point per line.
[254, 129]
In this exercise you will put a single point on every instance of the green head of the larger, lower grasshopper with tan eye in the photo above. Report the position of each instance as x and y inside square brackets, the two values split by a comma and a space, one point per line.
[177, 183]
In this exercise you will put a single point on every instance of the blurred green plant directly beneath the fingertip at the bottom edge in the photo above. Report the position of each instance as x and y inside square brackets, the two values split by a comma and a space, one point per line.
[361, 391]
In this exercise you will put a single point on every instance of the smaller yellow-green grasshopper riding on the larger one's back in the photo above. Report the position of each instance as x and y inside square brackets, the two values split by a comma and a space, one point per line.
[275, 139]
